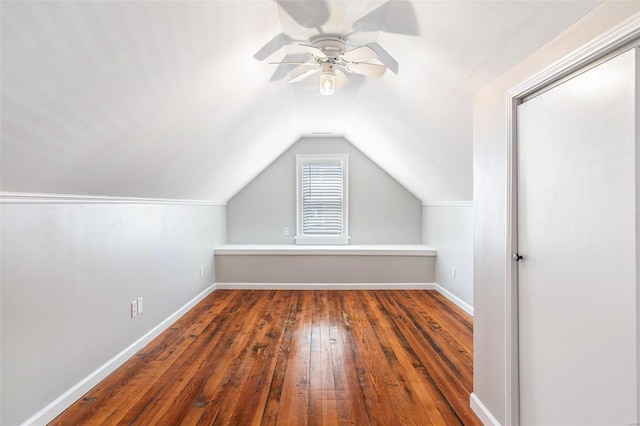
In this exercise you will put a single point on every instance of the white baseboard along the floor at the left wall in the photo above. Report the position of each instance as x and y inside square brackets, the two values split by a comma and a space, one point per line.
[64, 401]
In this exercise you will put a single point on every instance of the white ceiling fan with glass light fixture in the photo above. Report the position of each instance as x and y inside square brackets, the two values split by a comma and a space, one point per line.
[327, 54]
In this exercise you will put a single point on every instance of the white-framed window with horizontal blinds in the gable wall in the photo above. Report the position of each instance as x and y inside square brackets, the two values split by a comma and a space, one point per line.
[322, 199]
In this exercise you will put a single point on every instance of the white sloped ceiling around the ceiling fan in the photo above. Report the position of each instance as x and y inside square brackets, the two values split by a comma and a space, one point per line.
[165, 99]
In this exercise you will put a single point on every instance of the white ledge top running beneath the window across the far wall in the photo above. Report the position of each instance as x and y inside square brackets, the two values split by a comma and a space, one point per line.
[328, 250]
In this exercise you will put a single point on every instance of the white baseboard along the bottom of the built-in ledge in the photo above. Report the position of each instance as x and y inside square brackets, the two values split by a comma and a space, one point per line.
[326, 286]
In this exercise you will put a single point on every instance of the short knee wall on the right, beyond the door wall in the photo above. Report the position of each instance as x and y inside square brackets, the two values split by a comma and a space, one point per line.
[449, 229]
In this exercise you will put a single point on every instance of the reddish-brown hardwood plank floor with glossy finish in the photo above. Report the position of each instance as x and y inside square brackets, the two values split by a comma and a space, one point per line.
[294, 358]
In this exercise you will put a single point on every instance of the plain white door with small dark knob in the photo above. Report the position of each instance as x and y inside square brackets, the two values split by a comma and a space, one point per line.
[577, 236]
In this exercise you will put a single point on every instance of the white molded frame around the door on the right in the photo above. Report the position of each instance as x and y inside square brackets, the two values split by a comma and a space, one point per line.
[622, 37]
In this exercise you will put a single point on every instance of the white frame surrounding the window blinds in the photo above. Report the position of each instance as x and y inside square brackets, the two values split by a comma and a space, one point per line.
[344, 237]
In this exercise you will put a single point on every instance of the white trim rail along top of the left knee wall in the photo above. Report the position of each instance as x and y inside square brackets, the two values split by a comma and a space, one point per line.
[37, 198]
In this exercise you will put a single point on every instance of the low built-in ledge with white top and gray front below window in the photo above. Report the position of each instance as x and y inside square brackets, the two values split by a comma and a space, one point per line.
[288, 263]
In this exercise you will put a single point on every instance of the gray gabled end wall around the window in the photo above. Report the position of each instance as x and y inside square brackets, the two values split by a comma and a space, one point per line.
[381, 211]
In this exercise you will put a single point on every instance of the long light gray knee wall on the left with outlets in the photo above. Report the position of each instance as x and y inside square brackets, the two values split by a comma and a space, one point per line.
[69, 273]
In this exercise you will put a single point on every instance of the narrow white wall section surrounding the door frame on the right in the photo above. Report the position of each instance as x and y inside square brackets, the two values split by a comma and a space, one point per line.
[490, 256]
